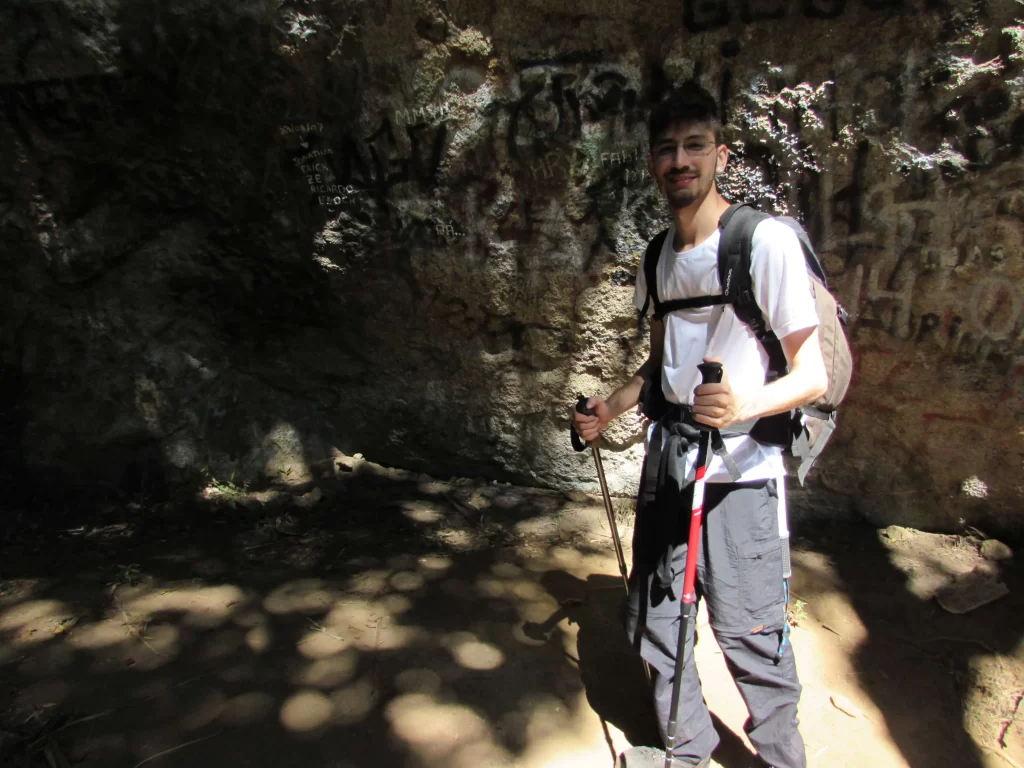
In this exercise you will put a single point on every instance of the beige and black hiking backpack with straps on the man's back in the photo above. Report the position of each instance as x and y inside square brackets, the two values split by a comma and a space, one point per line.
[802, 433]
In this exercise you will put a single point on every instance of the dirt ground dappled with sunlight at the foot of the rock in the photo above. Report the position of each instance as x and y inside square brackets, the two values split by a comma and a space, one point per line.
[388, 619]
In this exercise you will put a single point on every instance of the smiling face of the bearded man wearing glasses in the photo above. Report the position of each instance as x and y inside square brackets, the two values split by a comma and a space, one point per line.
[685, 161]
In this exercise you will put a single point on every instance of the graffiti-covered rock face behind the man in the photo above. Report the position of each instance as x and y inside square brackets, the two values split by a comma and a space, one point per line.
[237, 237]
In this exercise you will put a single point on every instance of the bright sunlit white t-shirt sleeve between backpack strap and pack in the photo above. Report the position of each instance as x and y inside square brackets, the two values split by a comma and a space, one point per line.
[780, 276]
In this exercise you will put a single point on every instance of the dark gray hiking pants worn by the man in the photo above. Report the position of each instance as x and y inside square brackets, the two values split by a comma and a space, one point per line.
[740, 573]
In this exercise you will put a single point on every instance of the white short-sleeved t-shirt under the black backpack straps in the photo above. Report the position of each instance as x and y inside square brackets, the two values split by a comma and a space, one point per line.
[783, 292]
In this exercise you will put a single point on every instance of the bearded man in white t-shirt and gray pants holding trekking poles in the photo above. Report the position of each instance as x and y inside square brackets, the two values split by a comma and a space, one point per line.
[740, 562]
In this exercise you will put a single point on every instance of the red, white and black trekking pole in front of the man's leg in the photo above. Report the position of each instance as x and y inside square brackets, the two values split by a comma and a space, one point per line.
[711, 373]
